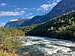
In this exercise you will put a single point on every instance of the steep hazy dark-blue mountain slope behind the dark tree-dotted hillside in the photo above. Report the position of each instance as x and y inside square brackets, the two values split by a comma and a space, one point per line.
[61, 8]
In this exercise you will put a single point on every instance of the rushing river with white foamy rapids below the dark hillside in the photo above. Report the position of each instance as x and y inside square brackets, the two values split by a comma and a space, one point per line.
[43, 46]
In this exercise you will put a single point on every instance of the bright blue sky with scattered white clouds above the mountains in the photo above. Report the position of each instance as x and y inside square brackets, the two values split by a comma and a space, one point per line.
[24, 9]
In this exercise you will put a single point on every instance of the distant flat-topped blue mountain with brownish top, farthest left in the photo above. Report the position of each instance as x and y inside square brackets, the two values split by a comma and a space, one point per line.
[15, 23]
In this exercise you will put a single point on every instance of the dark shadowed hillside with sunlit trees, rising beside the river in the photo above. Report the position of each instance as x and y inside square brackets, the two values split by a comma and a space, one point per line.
[62, 27]
